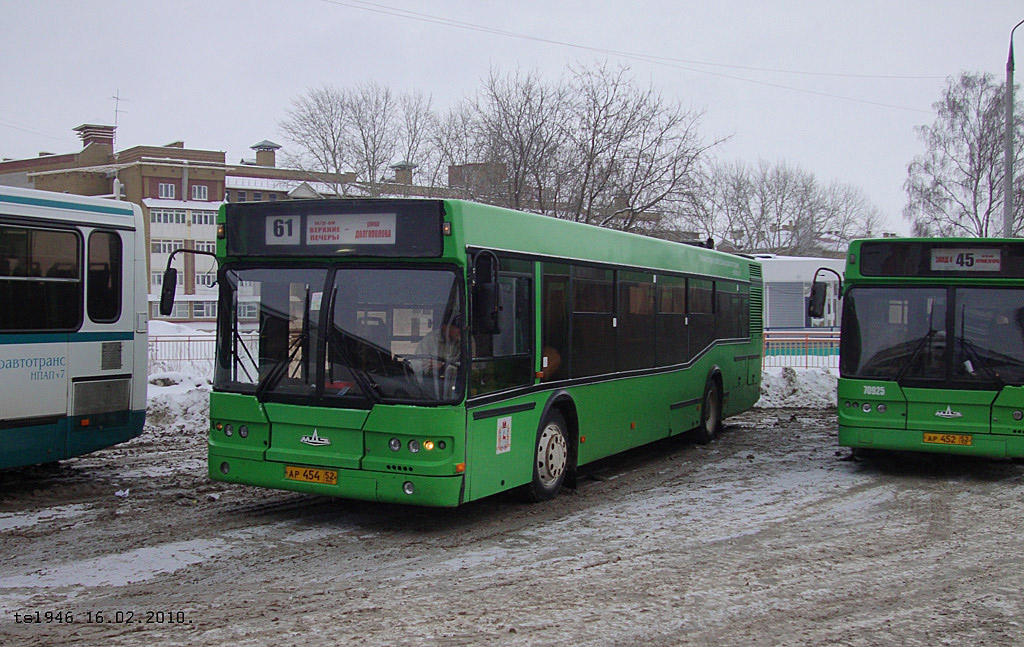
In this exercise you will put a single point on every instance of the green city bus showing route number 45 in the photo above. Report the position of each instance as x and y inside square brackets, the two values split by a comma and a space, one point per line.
[932, 347]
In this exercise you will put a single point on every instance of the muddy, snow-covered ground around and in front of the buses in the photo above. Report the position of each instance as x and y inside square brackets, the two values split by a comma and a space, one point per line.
[770, 536]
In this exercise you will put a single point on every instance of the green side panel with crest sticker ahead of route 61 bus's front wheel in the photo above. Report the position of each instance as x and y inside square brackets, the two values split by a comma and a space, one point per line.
[501, 444]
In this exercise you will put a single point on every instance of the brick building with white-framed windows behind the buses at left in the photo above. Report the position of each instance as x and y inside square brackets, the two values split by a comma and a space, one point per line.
[180, 191]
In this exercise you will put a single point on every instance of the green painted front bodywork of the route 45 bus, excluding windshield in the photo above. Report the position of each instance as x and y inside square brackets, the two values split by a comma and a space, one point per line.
[986, 416]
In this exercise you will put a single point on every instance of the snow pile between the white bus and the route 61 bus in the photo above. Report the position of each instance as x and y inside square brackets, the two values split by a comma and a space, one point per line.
[178, 404]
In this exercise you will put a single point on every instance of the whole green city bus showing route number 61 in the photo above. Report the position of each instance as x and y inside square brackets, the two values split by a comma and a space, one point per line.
[564, 343]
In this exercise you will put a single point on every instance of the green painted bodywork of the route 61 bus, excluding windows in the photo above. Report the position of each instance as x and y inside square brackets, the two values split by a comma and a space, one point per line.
[468, 462]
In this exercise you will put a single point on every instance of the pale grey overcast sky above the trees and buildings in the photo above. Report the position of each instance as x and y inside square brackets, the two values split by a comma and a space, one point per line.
[834, 89]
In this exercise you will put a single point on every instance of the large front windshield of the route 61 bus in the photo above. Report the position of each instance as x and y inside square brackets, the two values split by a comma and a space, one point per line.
[342, 336]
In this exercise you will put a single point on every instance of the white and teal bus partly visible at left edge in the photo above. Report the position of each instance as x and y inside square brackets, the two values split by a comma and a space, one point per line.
[73, 325]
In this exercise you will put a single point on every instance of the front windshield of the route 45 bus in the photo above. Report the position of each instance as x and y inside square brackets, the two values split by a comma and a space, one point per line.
[970, 336]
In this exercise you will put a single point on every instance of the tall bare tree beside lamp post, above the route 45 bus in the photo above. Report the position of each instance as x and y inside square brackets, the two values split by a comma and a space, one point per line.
[956, 187]
